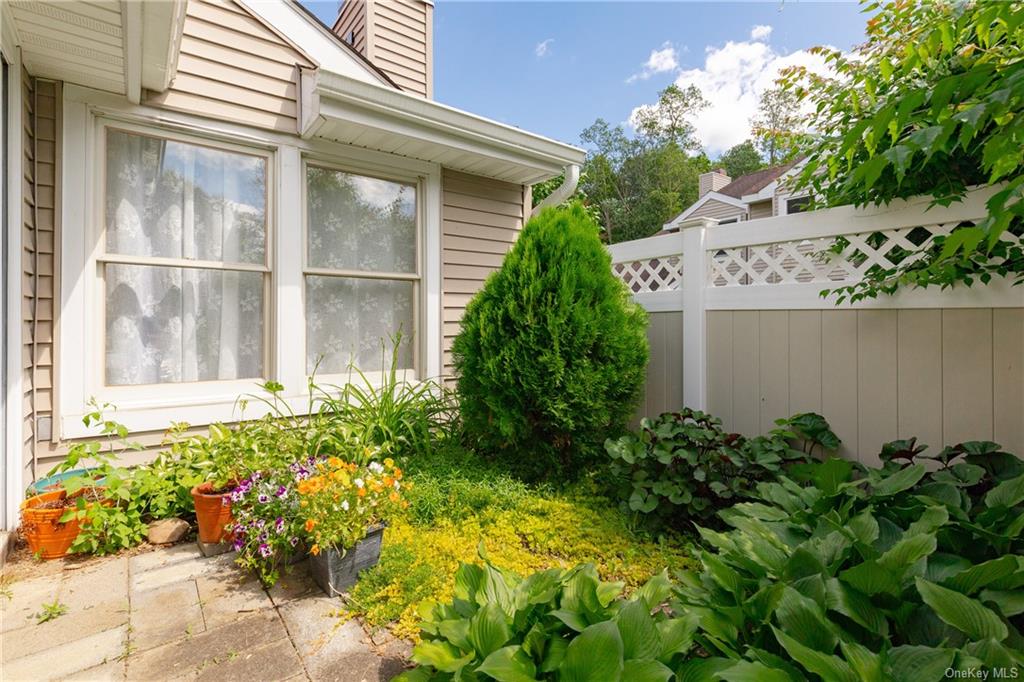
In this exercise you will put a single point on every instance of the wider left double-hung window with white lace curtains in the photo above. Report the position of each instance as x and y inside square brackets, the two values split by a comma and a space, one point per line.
[184, 262]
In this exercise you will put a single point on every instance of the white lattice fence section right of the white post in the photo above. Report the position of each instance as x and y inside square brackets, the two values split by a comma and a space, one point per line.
[820, 261]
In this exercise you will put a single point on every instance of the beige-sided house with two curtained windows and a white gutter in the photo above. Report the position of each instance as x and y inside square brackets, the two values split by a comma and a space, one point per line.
[203, 195]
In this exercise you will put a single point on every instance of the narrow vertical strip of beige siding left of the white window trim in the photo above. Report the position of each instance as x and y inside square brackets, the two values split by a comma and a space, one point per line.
[41, 138]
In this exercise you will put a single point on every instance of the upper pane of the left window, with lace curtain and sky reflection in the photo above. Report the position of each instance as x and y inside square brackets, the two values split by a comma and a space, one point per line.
[176, 200]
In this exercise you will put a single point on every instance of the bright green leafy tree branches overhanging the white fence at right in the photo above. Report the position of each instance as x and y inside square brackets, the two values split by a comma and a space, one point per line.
[932, 105]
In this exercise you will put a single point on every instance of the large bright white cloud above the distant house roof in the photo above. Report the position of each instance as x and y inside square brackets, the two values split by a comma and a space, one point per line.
[733, 79]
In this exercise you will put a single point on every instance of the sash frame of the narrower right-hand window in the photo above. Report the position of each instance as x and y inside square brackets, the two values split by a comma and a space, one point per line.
[414, 335]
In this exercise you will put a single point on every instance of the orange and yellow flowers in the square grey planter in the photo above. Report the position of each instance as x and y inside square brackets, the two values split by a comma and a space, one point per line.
[342, 500]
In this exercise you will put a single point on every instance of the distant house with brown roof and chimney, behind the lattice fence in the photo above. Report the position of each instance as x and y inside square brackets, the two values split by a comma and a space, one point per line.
[760, 195]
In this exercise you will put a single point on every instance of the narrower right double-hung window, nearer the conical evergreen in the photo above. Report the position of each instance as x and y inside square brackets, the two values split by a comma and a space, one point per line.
[362, 272]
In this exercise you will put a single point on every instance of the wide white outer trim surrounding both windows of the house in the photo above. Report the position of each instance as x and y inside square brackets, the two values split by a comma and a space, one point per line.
[204, 403]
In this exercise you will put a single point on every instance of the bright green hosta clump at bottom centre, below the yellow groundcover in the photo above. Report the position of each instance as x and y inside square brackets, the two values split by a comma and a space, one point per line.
[554, 625]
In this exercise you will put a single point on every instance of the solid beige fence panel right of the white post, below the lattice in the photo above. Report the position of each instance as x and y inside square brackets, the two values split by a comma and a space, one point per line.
[946, 376]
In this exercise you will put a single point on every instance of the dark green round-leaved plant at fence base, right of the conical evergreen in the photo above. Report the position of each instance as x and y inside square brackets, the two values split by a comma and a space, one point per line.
[684, 467]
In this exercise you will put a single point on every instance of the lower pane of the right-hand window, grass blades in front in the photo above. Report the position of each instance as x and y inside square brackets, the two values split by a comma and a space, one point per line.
[348, 320]
